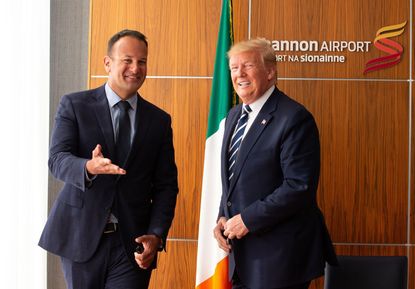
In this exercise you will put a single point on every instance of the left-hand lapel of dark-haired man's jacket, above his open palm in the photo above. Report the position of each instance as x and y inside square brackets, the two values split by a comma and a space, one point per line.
[103, 116]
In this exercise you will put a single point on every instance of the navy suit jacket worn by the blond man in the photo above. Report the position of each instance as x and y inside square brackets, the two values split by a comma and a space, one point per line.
[274, 189]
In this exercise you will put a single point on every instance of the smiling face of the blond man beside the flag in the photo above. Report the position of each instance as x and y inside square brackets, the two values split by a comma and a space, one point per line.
[251, 78]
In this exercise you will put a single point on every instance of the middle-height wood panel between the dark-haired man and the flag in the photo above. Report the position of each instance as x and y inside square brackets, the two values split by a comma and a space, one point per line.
[187, 101]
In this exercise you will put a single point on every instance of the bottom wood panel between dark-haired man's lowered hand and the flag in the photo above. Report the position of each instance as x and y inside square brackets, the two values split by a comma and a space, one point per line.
[176, 269]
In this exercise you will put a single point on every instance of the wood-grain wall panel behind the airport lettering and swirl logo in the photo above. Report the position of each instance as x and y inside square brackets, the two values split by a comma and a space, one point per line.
[327, 20]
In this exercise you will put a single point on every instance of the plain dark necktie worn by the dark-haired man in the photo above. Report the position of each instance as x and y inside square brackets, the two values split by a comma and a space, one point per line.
[123, 143]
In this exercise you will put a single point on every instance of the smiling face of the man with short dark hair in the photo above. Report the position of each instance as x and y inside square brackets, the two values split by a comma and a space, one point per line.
[126, 66]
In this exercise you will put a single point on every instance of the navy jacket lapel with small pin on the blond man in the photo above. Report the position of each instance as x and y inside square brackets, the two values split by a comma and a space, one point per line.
[252, 136]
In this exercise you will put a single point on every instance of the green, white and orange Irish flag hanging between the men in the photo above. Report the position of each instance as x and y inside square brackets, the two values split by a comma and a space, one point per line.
[212, 262]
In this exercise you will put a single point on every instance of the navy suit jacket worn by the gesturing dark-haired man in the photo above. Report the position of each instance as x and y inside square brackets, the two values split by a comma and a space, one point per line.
[144, 198]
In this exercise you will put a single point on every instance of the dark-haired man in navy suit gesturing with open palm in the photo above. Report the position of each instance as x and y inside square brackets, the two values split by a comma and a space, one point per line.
[114, 152]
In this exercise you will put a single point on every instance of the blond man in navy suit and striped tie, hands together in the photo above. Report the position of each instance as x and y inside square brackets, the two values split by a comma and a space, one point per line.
[268, 219]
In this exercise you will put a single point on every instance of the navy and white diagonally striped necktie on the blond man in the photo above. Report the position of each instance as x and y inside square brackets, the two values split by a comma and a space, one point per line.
[236, 139]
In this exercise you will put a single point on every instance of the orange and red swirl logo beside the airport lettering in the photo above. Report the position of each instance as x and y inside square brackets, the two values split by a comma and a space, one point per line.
[392, 48]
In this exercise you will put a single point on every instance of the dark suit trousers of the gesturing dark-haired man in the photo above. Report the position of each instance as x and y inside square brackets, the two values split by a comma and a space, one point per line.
[109, 268]
